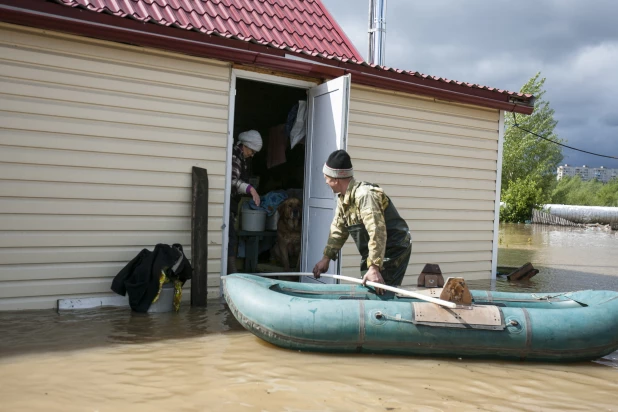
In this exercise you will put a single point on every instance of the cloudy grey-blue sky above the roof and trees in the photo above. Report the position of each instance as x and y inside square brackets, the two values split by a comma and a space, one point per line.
[499, 43]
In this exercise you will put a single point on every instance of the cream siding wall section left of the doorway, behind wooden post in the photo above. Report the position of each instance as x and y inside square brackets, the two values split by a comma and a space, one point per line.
[97, 142]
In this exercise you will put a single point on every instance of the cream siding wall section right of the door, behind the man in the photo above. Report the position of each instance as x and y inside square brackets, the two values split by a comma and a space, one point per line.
[437, 161]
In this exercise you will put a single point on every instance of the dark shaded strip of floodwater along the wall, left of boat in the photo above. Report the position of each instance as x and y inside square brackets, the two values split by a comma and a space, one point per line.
[43, 331]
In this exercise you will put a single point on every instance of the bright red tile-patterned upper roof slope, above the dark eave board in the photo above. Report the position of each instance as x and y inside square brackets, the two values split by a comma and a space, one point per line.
[303, 26]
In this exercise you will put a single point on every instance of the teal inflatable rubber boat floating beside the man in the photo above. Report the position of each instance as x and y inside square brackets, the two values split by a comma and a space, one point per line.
[561, 327]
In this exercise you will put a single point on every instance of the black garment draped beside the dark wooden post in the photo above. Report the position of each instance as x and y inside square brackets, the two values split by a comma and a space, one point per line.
[140, 277]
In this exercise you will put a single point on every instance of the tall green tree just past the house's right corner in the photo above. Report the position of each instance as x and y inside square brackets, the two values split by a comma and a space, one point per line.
[529, 162]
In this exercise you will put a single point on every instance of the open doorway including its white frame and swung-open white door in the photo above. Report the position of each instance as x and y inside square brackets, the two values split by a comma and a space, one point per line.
[295, 146]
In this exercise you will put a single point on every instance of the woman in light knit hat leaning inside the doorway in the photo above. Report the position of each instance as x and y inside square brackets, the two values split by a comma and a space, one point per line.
[249, 143]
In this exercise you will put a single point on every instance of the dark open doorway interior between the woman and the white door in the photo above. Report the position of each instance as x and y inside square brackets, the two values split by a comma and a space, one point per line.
[277, 172]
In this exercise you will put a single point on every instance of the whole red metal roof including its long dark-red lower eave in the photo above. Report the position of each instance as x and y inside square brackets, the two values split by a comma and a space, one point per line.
[197, 38]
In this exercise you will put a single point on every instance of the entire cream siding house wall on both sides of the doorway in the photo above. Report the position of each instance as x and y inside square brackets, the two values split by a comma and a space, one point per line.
[97, 141]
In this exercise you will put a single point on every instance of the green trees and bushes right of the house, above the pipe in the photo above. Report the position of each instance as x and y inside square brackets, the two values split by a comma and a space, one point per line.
[529, 165]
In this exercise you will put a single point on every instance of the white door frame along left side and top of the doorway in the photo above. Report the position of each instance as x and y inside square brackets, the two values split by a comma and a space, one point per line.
[259, 77]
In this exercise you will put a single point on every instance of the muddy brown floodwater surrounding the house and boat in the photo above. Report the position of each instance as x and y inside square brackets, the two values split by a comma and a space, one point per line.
[202, 360]
